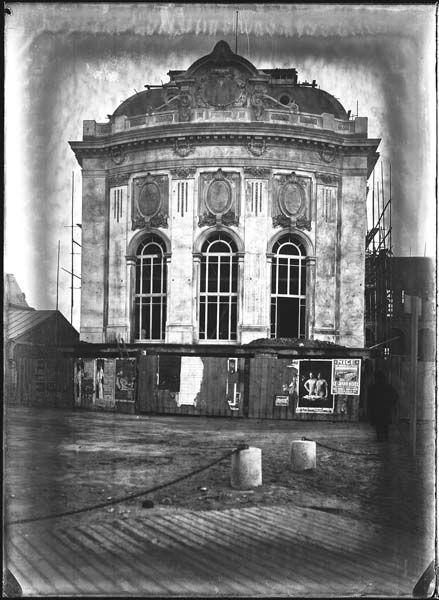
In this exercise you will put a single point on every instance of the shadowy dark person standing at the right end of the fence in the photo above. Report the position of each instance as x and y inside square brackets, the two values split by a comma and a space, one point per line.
[382, 398]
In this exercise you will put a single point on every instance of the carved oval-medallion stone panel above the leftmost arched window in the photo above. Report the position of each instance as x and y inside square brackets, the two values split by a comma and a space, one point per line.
[150, 201]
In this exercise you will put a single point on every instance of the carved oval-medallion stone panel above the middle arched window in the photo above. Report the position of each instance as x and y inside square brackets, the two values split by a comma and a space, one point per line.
[219, 198]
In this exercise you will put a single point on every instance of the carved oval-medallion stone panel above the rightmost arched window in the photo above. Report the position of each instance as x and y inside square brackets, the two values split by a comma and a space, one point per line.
[291, 201]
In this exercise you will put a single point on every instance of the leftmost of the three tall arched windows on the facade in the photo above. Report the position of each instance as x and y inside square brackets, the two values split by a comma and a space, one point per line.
[150, 294]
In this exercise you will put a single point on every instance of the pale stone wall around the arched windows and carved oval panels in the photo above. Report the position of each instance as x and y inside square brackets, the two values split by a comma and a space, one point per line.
[337, 238]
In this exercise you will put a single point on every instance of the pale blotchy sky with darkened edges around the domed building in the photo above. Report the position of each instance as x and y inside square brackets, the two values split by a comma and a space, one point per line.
[67, 62]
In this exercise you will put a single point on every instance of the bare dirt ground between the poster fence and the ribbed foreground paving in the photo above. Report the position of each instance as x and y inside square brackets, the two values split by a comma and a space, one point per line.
[57, 461]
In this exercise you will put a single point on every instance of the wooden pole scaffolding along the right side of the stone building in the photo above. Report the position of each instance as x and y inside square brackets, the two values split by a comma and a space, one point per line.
[378, 284]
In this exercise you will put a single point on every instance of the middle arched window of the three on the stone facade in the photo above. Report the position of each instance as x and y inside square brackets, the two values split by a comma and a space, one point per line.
[218, 288]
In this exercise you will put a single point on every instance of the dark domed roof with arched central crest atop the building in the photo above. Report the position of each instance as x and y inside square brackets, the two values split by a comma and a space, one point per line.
[238, 74]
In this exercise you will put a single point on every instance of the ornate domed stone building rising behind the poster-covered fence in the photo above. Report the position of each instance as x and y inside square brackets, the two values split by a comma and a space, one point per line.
[226, 205]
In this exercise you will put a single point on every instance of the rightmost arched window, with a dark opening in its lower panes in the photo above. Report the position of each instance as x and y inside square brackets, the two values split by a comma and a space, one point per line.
[288, 288]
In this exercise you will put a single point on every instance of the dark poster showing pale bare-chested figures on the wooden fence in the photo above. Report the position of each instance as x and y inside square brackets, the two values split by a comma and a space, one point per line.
[315, 396]
